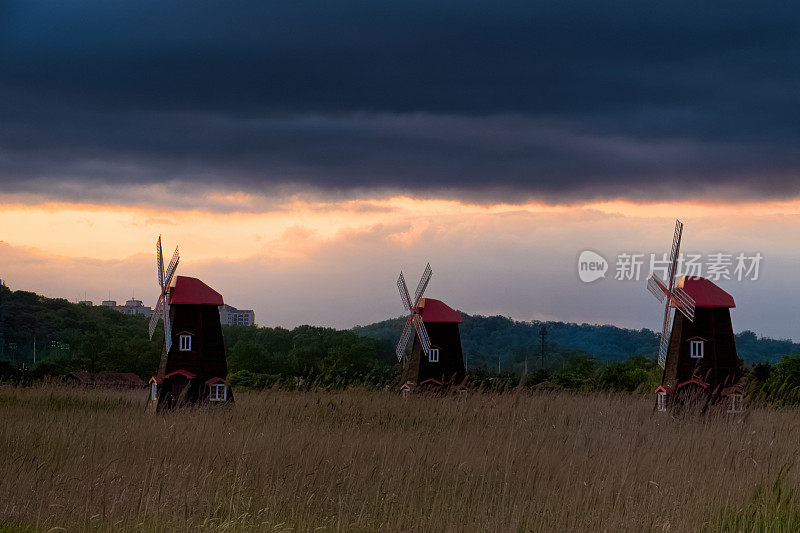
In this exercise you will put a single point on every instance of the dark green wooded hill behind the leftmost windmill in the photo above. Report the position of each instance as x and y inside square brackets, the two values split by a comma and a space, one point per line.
[68, 337]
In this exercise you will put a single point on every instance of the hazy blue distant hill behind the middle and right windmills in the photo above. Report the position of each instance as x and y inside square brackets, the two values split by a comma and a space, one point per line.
[485, 338]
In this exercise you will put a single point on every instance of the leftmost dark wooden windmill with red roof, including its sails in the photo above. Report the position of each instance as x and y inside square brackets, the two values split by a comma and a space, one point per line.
[193, 367]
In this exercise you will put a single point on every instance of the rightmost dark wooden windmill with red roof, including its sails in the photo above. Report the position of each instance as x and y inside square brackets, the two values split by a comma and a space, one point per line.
[698, 353]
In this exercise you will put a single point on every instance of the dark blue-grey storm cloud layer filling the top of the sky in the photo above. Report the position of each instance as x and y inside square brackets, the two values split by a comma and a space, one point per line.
[561, 100]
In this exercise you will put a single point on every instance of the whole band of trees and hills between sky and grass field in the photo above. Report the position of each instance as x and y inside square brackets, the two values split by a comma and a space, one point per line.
[502, 354]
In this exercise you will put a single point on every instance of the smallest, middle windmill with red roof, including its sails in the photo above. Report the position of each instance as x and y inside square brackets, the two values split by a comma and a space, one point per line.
[436, 358]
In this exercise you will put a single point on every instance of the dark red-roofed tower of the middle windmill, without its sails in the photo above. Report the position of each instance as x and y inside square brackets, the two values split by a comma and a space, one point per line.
[444, 365]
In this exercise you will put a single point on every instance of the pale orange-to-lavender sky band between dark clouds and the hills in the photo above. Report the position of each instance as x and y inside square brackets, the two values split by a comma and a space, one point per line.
[333, 262]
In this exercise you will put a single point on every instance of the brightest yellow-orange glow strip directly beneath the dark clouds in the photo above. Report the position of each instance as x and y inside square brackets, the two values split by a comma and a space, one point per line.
[116, 232]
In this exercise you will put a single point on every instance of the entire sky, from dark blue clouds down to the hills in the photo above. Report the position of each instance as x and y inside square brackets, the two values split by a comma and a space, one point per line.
[302, 153]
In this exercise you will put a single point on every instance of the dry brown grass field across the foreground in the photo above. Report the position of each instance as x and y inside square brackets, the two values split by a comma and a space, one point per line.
[366, 461]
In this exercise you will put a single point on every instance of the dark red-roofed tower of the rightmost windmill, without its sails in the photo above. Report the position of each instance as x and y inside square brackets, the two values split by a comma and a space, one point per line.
[702, 361]
